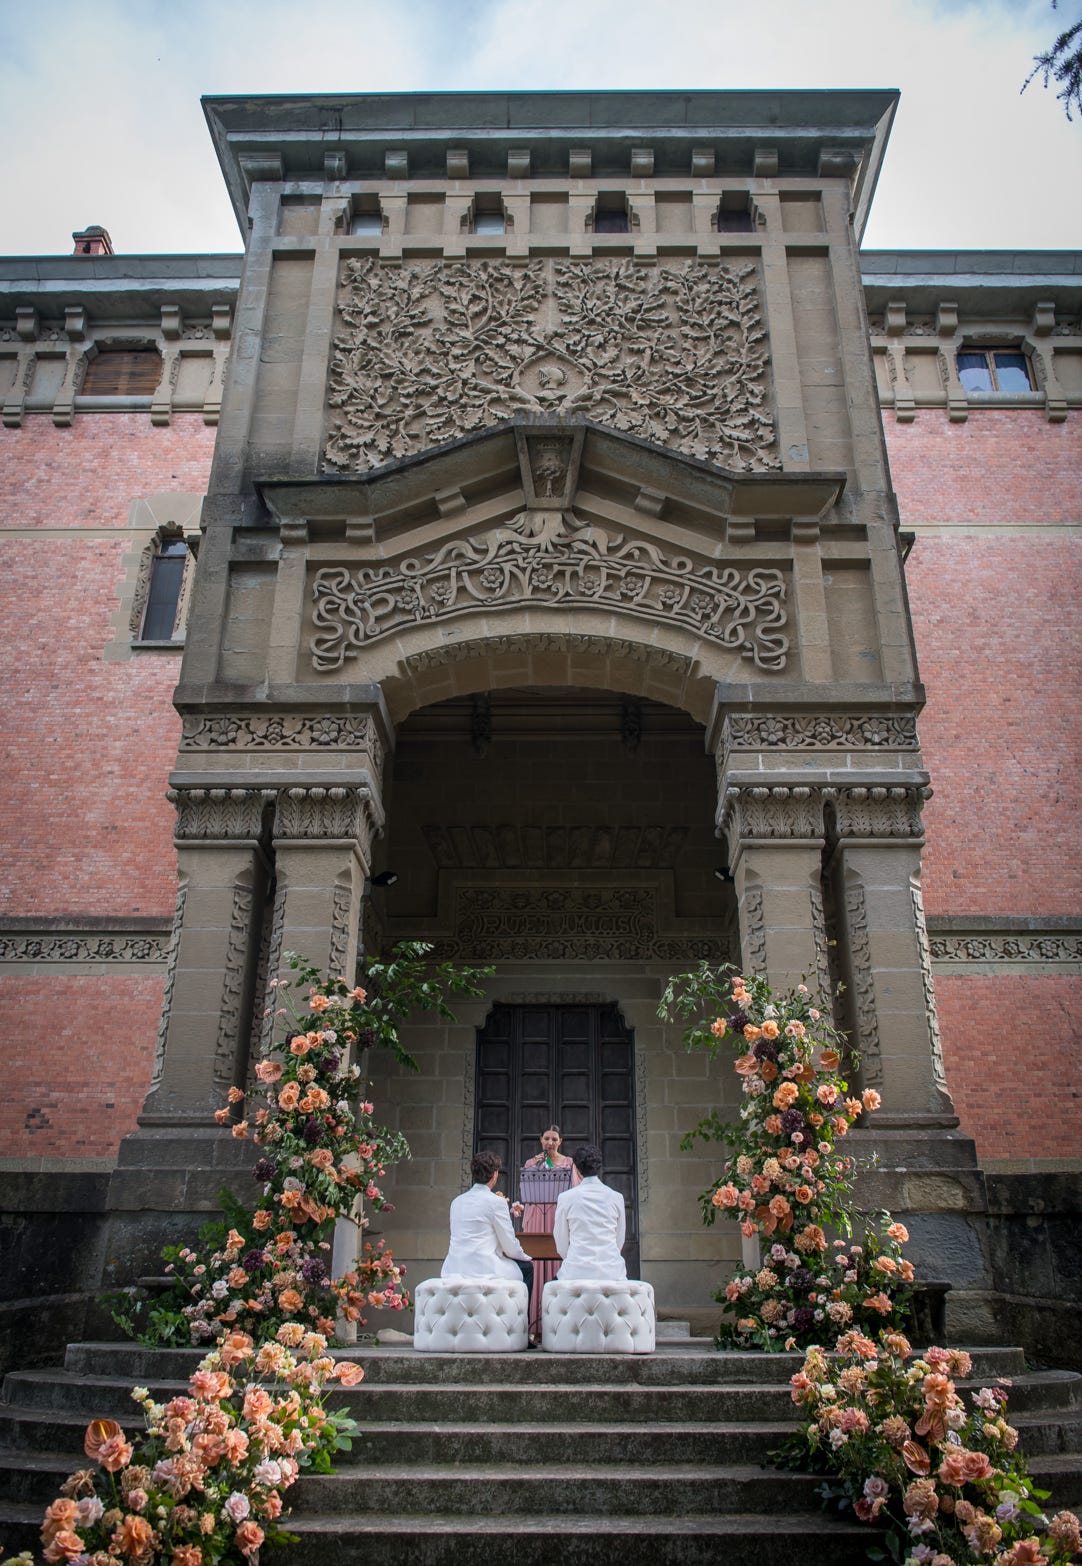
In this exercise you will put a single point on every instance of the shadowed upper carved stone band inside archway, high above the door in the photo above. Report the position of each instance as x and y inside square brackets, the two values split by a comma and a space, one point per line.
[555, 848]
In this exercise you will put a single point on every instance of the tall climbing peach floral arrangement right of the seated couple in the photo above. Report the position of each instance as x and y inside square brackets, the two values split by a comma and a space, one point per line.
[787, 1178]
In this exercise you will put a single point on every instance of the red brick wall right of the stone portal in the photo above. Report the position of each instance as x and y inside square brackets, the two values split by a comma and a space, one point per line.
[1000, 649]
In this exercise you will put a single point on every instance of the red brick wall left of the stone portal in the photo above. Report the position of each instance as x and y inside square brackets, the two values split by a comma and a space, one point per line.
[87, 748]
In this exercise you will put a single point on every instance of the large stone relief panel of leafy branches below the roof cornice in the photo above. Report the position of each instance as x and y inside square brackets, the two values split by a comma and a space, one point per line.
[435, 352]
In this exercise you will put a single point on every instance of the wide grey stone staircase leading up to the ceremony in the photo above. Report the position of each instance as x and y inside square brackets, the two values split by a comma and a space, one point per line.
[480, 1459]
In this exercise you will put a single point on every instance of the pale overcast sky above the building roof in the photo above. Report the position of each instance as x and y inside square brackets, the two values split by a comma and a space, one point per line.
[101, 115]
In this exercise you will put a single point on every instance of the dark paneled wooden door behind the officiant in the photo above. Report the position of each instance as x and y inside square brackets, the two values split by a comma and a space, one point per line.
[572, 1066]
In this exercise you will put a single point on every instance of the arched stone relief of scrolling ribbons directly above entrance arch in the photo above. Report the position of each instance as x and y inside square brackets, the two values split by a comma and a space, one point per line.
[549, 560]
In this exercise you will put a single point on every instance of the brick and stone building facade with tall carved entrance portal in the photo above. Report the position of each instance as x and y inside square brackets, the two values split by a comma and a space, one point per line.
[543, 771]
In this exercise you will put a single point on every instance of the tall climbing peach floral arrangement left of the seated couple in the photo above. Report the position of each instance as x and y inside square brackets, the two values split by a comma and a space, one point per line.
[320, 1156]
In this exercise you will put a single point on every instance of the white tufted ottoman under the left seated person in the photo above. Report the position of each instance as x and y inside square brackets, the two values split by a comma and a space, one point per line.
[471, 1316]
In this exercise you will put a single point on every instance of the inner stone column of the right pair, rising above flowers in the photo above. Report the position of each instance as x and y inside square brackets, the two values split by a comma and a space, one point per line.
[776, 859]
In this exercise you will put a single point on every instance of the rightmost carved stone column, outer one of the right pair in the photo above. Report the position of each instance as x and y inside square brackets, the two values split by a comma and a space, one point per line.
[885, 951]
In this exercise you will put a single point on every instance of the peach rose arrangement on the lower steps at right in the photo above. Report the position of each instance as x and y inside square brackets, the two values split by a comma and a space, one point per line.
[939, 1470]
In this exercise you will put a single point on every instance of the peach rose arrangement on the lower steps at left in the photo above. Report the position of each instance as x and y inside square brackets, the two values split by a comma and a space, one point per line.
[204, 1482]
